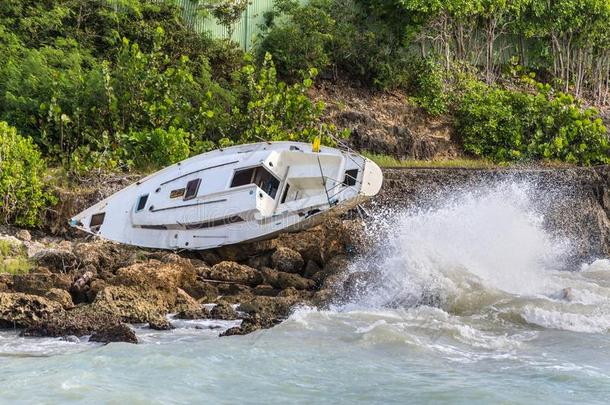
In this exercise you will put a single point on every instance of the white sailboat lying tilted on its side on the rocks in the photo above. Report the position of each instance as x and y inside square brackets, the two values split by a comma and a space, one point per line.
[233, 195]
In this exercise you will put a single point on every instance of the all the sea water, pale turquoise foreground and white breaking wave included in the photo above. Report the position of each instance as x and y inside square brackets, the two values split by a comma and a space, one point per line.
[472, 301]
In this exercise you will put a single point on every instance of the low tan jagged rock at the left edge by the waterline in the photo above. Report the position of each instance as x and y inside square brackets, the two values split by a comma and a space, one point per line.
[22, 310]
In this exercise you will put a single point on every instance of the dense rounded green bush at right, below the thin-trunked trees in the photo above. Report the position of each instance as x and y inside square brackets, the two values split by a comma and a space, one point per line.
[508, 125]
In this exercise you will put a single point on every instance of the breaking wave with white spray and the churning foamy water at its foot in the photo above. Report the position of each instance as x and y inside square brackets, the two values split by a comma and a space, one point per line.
[478, 275]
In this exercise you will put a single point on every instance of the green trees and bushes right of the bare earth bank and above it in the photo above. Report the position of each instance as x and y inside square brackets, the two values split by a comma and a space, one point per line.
[475, 60]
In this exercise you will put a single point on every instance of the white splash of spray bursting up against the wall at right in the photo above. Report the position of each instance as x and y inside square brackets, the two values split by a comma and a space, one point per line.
[483, 252]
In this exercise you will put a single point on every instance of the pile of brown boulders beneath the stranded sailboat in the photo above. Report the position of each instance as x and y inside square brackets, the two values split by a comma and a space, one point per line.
[93, 287]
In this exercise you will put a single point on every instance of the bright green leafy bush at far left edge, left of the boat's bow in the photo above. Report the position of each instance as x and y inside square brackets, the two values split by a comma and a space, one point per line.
[22, 191]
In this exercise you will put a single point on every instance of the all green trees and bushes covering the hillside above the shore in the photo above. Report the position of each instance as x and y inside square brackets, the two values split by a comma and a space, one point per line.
[126, 84]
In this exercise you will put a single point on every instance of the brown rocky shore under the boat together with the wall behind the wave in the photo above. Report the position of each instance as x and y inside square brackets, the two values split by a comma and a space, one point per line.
[57, 283]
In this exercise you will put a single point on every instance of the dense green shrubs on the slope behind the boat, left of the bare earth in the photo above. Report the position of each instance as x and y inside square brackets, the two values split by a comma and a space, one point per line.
[95, 86]
